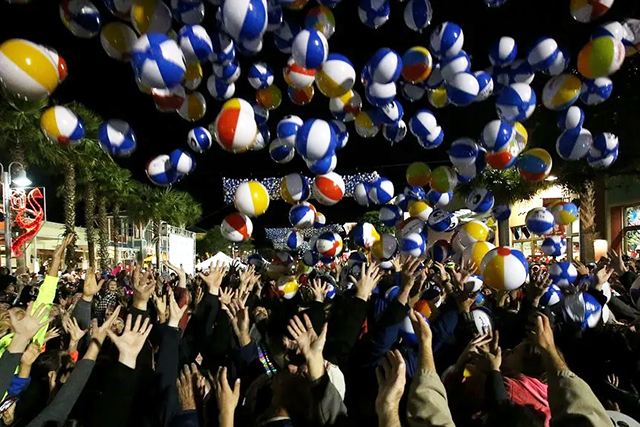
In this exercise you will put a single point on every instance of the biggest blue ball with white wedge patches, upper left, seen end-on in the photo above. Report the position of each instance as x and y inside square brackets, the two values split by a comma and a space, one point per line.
[158, 61]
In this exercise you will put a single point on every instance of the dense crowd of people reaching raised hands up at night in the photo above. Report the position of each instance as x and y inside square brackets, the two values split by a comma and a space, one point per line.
[129, 347]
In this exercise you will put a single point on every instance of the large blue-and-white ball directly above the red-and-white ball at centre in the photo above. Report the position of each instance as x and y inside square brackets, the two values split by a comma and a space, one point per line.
[315, 139]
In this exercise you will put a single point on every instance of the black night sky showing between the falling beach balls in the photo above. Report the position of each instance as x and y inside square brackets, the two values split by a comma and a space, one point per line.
[108, 87]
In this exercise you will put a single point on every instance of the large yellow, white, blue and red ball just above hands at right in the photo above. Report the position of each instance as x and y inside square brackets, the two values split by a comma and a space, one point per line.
[504, 268]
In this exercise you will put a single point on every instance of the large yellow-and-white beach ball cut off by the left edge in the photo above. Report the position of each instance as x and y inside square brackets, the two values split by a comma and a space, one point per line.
[27, 70]
